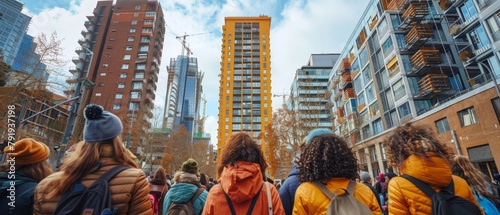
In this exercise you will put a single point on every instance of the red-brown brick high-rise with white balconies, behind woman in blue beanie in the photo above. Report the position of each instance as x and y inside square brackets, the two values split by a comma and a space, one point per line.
[121, 55]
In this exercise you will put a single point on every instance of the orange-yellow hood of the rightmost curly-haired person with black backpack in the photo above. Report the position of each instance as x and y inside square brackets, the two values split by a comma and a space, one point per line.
[427, 170]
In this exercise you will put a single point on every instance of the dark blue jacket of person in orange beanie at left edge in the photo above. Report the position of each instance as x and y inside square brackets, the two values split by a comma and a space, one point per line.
[23, 193]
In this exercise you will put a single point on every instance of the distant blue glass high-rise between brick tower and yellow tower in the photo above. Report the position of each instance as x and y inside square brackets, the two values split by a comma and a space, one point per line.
[183, 93]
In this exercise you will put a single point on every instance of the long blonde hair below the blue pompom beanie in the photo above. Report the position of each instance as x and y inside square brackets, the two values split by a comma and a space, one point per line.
[84, 159]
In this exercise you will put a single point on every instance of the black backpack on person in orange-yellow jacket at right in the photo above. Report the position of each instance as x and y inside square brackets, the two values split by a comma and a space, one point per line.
[445, 202]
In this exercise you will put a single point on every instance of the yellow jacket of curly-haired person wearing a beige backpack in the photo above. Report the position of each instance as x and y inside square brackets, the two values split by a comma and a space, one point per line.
[310, 200]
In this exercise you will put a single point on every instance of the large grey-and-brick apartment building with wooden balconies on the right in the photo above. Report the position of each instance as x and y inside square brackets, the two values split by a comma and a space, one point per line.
[406, 61]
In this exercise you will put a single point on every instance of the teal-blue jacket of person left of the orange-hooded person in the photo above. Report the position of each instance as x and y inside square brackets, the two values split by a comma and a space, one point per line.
[182, 192]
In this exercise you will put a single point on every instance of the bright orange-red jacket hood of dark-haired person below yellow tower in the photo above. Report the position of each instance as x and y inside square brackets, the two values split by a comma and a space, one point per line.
[241, 181]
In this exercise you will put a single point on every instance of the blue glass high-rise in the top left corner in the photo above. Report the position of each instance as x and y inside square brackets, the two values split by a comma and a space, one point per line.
[13, 26]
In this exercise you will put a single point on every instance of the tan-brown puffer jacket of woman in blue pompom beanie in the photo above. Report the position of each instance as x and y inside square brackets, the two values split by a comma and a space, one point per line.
[129, 190]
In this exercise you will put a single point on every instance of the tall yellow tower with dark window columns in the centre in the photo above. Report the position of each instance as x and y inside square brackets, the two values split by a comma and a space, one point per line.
[245, 77]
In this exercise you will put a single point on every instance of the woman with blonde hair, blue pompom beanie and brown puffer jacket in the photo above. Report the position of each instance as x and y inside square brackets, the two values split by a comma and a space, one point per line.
[102, 150]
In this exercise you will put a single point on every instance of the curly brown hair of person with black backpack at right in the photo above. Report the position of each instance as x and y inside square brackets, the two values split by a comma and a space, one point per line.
[409, 140]
